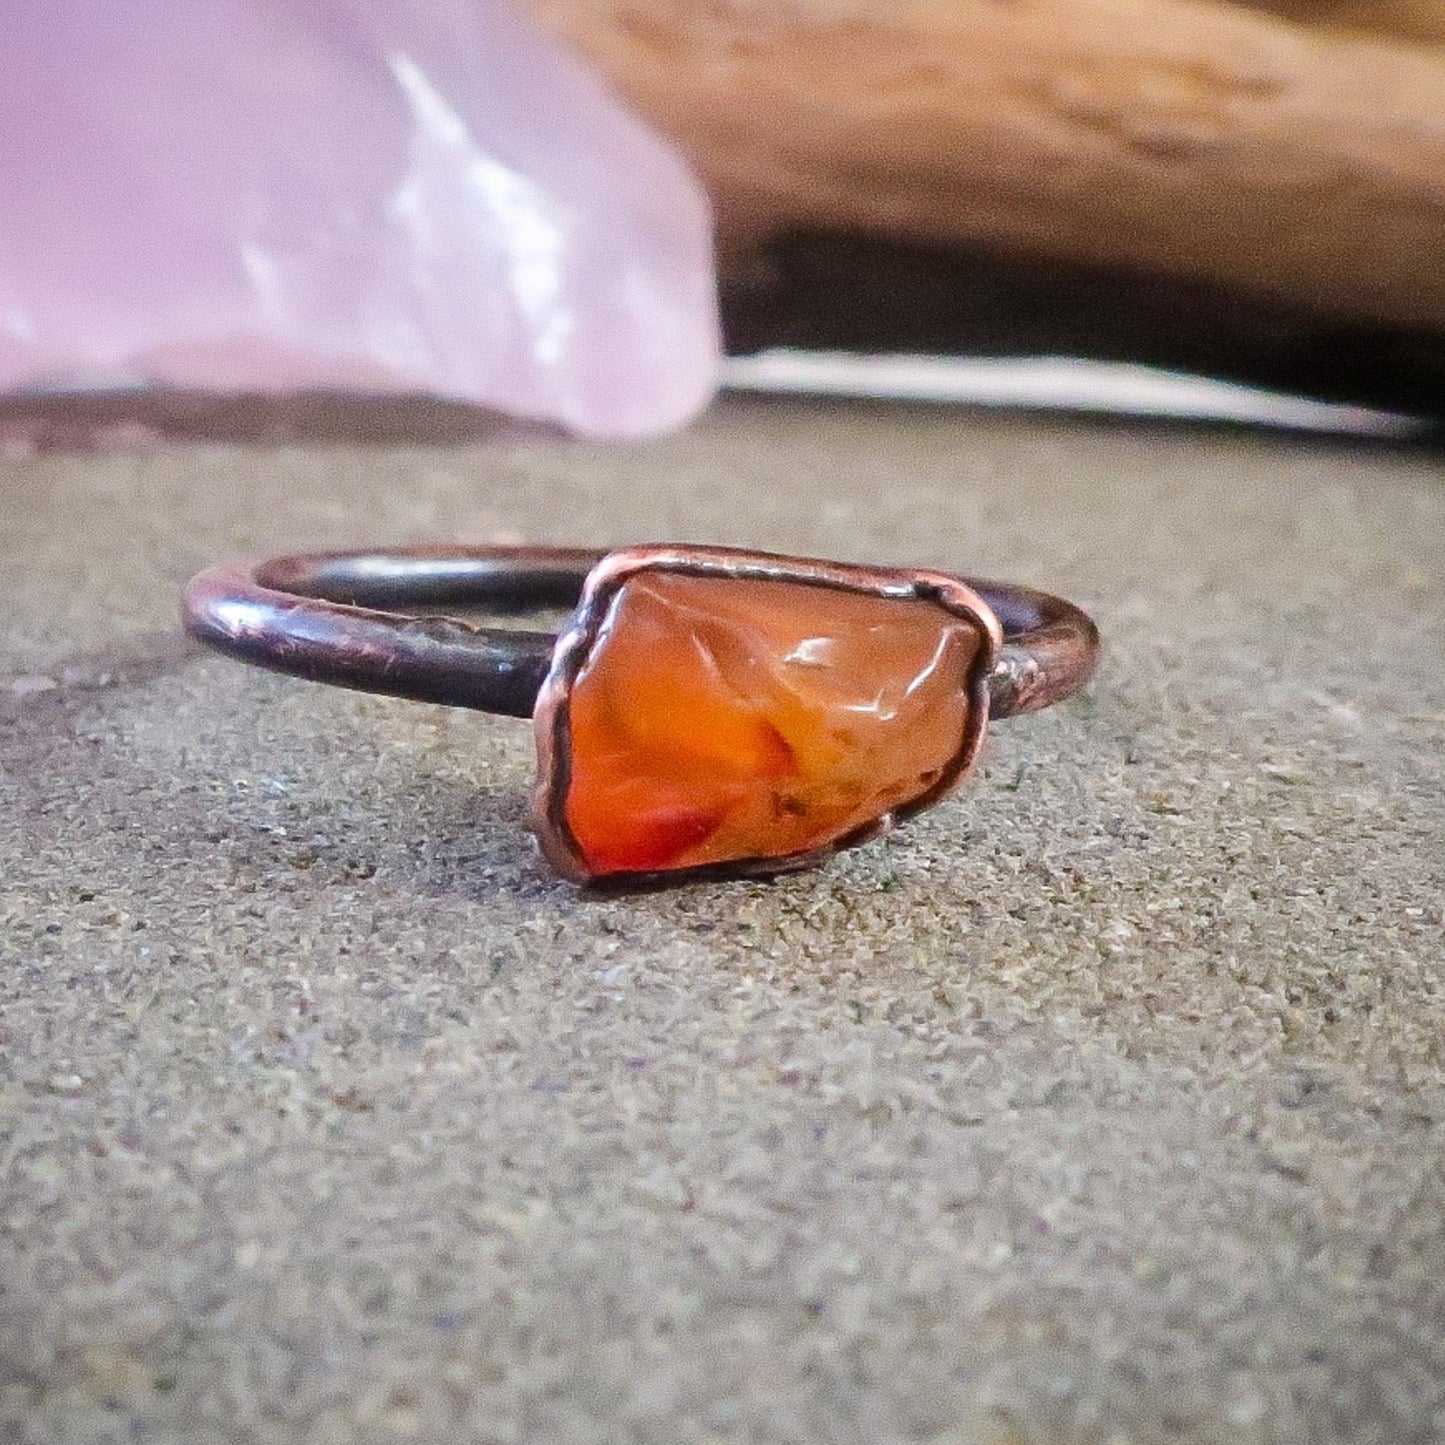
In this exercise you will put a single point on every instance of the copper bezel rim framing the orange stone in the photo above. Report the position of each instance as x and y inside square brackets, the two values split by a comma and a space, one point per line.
[574, 650]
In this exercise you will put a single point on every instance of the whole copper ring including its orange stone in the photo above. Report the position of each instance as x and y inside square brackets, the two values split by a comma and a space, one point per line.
[706, 712]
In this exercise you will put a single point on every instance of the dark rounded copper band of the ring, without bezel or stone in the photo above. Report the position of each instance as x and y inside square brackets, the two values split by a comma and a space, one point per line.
[342, 618]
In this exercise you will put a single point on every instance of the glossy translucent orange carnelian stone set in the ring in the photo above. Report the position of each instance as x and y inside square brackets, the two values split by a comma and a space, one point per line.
[717, 720]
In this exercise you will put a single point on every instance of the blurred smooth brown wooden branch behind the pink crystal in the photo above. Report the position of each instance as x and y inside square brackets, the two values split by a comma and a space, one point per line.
[1200, 141]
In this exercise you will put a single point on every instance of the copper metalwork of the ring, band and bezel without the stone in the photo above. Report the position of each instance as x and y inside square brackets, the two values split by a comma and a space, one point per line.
[350, 619]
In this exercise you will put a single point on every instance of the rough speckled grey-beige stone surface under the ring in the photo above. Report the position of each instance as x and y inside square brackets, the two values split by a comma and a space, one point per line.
[1102, 1105]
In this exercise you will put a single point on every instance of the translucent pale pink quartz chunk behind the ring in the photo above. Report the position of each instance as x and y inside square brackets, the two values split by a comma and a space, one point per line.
[366, 196]
